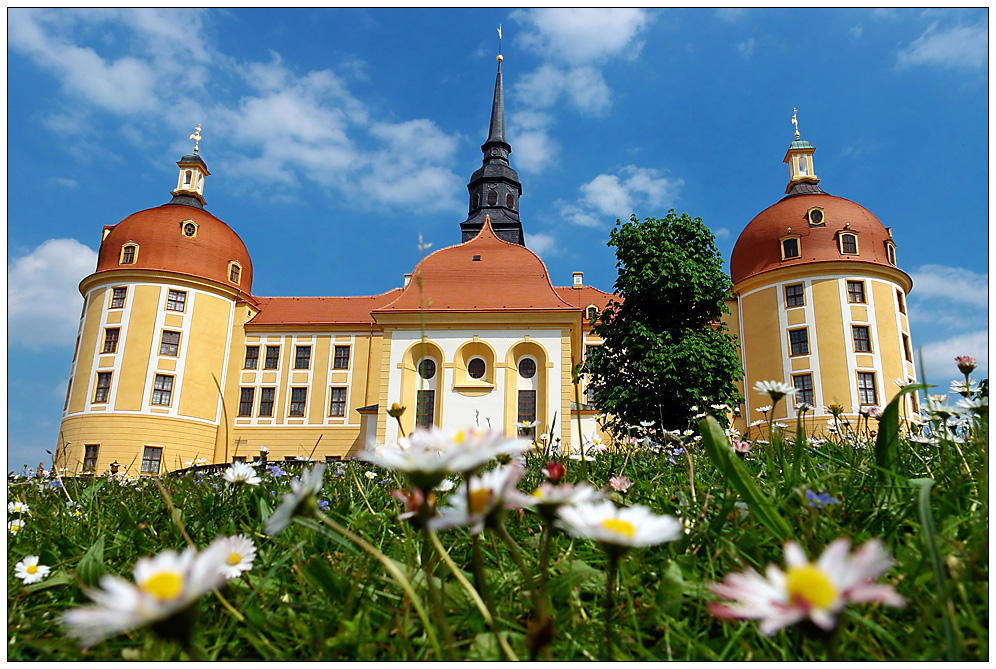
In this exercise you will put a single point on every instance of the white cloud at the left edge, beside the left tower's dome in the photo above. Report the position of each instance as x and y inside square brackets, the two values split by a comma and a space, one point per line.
[43, 298]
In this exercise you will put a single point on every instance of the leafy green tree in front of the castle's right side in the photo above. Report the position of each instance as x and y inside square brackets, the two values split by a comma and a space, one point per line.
[665, 347]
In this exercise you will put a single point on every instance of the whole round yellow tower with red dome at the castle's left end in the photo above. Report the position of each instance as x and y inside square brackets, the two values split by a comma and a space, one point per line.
[155, 340]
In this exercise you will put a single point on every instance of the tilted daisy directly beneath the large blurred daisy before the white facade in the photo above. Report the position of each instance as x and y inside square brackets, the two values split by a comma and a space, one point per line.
[490, 492]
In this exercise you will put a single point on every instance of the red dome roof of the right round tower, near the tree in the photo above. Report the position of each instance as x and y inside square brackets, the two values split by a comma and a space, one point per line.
[758, 249]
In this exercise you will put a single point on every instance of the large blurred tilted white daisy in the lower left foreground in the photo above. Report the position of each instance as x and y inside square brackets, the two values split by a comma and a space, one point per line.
[164, 586]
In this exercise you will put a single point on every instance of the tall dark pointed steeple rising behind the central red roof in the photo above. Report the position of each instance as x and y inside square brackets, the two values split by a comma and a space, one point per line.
[495, 189]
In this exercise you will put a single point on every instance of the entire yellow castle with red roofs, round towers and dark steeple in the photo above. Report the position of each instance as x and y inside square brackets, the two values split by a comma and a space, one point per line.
[176, 359]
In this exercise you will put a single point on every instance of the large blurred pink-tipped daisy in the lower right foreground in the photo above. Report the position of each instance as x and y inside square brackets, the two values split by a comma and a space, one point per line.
[815, 590]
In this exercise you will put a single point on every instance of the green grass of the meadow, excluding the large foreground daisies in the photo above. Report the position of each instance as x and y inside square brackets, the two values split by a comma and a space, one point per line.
[314, 593]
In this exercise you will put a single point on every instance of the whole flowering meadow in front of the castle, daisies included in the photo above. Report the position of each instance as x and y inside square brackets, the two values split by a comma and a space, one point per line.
[704, 546]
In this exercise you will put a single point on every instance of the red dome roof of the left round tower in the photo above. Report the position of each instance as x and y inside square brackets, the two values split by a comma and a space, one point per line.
[162, 245]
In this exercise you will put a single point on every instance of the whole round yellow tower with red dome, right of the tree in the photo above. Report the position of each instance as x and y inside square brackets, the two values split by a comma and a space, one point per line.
[821, 302]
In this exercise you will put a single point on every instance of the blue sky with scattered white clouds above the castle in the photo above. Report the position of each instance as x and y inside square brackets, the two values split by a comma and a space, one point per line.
[336, 137]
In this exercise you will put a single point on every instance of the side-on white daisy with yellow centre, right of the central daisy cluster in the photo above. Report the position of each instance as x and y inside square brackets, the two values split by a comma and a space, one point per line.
[615, 529]
